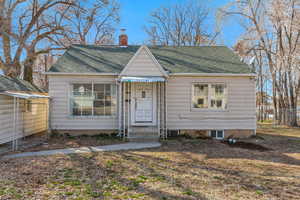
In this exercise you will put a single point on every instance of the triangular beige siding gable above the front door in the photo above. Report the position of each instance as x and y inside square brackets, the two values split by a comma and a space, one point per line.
[142, 65]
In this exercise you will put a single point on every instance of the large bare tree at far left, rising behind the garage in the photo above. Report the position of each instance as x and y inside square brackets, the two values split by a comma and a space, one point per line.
[24, 25]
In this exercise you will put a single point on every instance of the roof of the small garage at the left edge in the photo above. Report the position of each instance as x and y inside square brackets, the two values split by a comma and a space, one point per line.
[15, 84]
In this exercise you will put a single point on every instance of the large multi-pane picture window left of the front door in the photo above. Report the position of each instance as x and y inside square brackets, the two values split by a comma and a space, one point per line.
[93, 99]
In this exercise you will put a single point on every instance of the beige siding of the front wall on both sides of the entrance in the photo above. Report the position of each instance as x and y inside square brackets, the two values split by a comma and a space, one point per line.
[240, 112]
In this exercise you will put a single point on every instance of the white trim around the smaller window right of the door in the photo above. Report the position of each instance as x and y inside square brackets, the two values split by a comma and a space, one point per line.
[209, 97]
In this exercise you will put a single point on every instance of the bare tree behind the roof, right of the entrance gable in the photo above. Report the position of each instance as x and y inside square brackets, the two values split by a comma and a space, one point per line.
[180, 25]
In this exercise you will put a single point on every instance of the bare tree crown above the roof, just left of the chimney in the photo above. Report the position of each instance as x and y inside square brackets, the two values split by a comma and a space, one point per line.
[95, 24]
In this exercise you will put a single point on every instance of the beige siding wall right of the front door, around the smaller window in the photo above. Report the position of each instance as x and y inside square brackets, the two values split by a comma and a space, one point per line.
[240, 112]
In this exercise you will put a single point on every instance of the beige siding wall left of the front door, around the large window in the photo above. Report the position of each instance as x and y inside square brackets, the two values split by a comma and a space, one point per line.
[61, 118]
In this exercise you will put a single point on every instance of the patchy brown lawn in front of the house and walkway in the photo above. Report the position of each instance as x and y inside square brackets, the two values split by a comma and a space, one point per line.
[181, 169]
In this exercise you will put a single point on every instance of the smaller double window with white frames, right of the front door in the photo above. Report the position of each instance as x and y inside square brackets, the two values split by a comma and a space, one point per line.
[209, 95]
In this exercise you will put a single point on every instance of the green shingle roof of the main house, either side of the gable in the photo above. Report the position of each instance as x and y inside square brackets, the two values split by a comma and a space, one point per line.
[186, 59]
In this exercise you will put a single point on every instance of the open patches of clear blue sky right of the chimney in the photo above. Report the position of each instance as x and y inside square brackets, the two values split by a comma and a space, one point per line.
[135, 15]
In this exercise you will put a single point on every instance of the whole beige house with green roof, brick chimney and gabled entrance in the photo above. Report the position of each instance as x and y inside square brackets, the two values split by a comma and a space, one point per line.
[150, 91]
